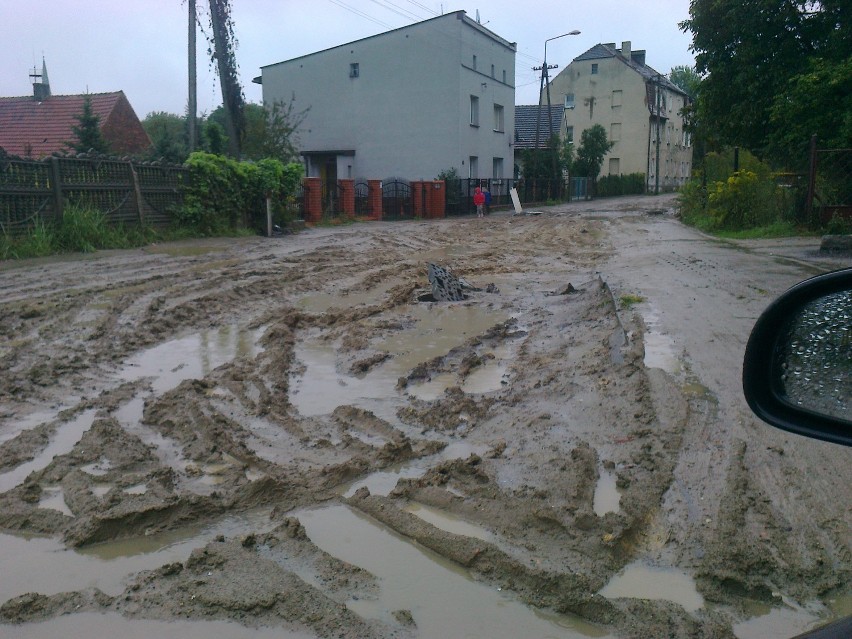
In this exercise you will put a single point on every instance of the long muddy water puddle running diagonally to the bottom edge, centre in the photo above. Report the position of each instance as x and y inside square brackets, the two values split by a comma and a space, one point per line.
[439, 594]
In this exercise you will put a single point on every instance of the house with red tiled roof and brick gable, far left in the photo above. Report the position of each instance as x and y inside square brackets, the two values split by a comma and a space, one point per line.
[42, 124]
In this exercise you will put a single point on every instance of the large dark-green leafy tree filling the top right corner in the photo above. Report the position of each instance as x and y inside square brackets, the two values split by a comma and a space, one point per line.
[750, 52]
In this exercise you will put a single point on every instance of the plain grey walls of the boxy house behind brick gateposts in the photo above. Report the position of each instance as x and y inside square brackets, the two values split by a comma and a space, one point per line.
[407, 112]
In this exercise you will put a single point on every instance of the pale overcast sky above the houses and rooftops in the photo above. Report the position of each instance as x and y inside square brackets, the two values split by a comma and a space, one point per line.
[140, 47]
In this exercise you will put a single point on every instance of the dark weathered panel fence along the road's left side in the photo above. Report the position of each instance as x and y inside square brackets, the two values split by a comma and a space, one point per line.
[38, 192]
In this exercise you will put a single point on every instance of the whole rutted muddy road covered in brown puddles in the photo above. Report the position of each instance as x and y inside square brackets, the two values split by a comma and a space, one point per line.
[284, 437]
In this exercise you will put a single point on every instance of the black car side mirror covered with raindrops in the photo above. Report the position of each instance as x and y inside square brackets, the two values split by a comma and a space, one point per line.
[797, 371]
